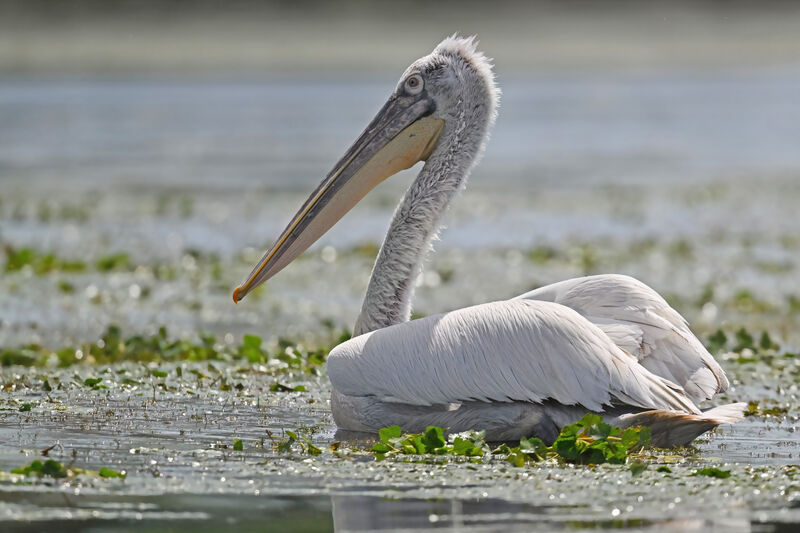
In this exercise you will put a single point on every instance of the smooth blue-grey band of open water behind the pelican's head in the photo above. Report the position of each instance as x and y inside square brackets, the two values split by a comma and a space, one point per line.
[285, 134]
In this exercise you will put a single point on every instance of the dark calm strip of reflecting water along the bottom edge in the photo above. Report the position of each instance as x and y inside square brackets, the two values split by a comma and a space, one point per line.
[201, 513]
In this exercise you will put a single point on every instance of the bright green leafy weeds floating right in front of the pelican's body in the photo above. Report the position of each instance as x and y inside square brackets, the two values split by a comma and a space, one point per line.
[588, 441]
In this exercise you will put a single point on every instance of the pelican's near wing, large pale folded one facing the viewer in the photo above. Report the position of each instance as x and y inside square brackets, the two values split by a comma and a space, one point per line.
[518, 350]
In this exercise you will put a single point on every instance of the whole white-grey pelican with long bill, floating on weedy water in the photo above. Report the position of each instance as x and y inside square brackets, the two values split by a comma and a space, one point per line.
[527, 366]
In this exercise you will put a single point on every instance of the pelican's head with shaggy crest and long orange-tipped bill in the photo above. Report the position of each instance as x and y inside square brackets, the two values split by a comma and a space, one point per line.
[443, 104]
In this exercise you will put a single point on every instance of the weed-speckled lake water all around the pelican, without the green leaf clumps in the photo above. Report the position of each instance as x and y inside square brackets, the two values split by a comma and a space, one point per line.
[686, 180]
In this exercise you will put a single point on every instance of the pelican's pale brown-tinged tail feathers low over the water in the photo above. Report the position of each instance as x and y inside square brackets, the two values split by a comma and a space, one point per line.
[674, 428]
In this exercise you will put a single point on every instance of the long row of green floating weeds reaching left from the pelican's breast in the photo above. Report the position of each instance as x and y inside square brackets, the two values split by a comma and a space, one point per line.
[112, 347]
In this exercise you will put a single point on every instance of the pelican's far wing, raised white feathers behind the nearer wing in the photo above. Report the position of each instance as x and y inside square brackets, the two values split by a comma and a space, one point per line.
[641, 322]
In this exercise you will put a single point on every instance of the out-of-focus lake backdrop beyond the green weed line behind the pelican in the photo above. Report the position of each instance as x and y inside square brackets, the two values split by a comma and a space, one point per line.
[150, 152]
